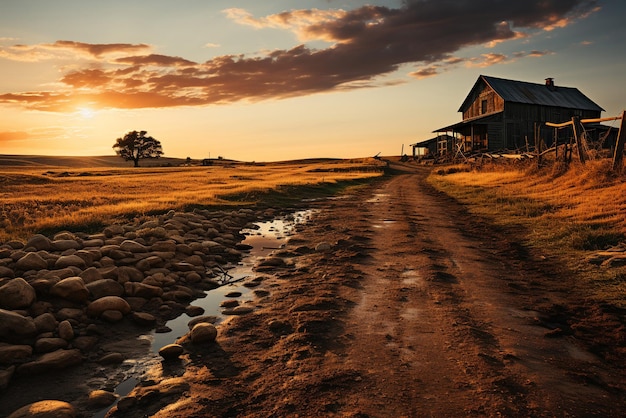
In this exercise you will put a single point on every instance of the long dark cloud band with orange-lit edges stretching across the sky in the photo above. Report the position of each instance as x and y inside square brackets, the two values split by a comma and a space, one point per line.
[365, 43]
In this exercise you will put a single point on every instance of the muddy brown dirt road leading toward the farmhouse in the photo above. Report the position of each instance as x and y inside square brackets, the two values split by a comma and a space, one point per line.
[417, 310]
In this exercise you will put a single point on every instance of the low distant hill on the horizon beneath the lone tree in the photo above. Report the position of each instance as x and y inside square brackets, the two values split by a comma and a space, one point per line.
[86, 162]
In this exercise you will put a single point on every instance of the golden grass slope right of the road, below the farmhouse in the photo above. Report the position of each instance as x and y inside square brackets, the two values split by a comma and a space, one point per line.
[565, 213]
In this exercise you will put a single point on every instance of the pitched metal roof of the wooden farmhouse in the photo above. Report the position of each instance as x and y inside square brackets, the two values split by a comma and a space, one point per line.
[532, 93]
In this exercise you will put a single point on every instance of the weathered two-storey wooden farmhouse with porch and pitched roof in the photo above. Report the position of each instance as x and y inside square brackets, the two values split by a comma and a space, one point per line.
[500, 114]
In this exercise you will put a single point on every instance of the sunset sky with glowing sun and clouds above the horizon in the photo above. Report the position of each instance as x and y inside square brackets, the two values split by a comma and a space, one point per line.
[278, 80]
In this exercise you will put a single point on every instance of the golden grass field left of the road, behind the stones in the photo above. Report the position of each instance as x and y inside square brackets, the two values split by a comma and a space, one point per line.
[47, 198]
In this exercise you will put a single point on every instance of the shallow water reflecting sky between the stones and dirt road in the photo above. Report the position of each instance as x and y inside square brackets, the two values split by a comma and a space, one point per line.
[268, 237]
